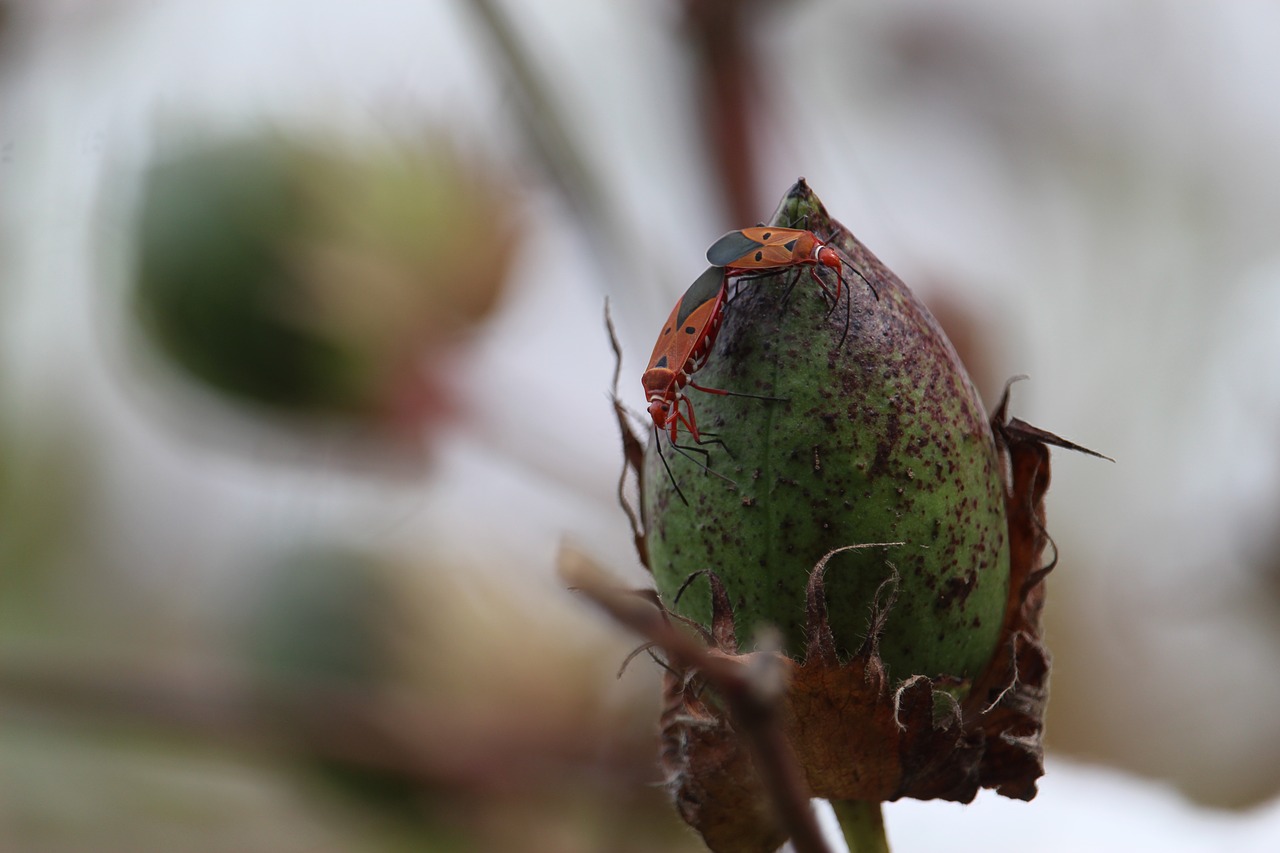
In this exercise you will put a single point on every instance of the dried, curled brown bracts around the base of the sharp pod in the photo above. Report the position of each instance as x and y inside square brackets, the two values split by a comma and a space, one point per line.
[857, 736]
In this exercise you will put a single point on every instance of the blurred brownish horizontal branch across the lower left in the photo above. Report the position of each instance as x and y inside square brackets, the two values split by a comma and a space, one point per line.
[388, 732]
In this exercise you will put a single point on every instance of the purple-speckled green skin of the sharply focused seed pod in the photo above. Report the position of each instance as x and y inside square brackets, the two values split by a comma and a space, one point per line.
[880, 439]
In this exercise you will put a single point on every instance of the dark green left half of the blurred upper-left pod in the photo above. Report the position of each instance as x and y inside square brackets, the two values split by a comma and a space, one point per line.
[214, 280]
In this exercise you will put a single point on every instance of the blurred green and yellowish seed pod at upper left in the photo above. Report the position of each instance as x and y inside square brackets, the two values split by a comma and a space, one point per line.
[318, 280]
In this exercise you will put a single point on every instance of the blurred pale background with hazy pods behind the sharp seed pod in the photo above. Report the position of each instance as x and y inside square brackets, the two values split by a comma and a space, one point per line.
[304, 380]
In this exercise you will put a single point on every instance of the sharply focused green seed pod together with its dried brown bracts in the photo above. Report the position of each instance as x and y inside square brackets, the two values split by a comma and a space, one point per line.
[862, 504]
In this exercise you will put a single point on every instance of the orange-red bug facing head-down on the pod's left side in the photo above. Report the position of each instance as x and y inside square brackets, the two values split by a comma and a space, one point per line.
[683, 348]
